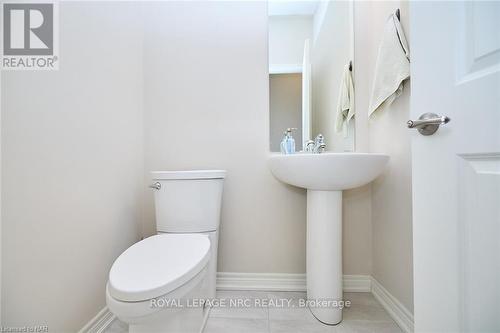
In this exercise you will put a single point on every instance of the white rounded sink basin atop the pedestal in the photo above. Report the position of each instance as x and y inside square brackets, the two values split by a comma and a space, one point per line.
[328, 171]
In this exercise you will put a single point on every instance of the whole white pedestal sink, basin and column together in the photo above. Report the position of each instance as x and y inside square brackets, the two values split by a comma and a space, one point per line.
[325, 176]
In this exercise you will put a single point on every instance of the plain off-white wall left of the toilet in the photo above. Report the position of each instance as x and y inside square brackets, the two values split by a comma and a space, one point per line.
[71, 169]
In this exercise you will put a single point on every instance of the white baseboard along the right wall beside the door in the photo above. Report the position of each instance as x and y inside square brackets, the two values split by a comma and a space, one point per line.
[401, 315]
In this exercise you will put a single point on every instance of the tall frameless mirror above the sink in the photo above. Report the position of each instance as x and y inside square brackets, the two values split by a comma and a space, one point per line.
[311, 48]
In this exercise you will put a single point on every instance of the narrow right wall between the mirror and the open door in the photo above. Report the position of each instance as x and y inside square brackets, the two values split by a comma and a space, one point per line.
[386, 133]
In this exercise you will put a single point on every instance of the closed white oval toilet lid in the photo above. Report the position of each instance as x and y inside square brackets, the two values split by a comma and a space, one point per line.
[157, 265]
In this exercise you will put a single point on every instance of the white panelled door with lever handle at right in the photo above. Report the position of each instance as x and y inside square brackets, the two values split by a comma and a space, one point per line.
[455, 65]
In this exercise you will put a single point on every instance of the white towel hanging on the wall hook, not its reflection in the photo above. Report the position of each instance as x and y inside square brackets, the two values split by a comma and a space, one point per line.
[392, 66]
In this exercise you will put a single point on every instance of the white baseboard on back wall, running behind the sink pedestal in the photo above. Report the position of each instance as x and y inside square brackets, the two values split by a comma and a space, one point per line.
[283, 282]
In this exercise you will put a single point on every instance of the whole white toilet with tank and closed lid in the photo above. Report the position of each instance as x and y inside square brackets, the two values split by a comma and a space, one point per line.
[159, 283]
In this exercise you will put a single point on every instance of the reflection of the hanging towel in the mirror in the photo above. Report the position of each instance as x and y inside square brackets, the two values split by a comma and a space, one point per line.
[345, 104]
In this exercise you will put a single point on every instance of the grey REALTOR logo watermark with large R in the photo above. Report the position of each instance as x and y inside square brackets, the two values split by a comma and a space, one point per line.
[30, 32]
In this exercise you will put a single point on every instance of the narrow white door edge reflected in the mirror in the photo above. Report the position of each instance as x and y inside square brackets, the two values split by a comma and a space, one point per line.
[306, 94]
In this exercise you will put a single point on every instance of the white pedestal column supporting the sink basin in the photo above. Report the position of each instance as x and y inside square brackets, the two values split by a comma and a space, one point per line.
[324, 254]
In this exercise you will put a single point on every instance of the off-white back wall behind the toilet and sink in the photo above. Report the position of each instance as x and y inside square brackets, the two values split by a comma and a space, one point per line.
[206, 92]
